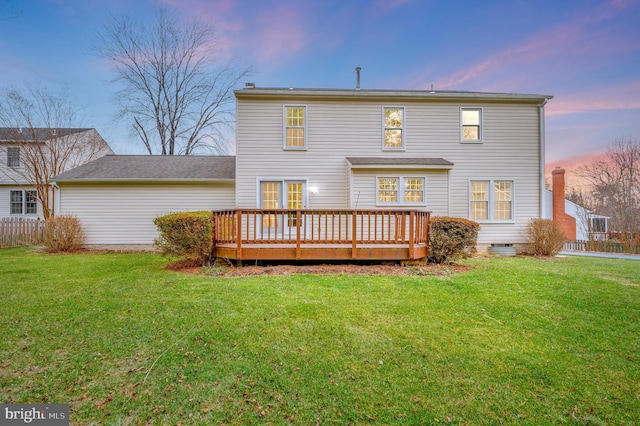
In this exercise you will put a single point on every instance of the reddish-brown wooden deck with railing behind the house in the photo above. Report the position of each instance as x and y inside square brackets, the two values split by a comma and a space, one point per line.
[257, 234]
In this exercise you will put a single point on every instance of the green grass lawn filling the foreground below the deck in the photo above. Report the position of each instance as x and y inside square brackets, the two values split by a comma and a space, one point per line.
[513, 341]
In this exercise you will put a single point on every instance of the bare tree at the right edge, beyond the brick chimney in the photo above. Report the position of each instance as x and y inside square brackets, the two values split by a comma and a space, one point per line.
[615, 186]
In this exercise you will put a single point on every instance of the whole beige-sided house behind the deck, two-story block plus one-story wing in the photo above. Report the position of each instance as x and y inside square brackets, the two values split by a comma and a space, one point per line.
[466, 154]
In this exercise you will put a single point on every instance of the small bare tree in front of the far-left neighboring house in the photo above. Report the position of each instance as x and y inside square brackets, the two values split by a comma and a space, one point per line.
[46, 130]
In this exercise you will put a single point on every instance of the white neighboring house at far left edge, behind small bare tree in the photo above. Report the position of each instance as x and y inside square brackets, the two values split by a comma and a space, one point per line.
[26, 153]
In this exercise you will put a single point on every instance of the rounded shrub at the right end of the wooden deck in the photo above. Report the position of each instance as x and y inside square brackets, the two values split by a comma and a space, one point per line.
[452, 238]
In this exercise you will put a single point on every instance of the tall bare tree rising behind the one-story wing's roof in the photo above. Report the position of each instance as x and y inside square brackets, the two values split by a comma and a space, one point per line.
[178, 97]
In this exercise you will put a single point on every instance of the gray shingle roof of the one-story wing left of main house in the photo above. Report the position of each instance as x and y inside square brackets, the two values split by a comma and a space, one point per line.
[112, 168]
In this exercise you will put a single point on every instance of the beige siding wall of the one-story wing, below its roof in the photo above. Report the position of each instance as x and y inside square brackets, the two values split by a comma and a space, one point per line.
[122, 214]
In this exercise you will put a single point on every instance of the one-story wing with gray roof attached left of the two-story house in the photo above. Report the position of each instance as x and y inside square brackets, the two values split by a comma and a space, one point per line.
[117, 197]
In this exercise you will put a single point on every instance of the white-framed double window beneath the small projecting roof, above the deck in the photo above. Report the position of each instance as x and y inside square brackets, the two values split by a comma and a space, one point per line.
[400, 190]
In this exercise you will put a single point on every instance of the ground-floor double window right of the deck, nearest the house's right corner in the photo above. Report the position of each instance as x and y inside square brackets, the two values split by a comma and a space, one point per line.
[491, 200]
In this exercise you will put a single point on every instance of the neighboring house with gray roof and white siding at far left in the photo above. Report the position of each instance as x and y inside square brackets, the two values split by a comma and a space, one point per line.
[18, 197]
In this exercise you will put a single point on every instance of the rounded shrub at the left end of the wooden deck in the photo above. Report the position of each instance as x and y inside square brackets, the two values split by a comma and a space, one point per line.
[186, 234]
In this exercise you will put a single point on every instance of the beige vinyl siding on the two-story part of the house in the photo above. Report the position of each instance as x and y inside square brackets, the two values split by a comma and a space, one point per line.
[510, 150]
